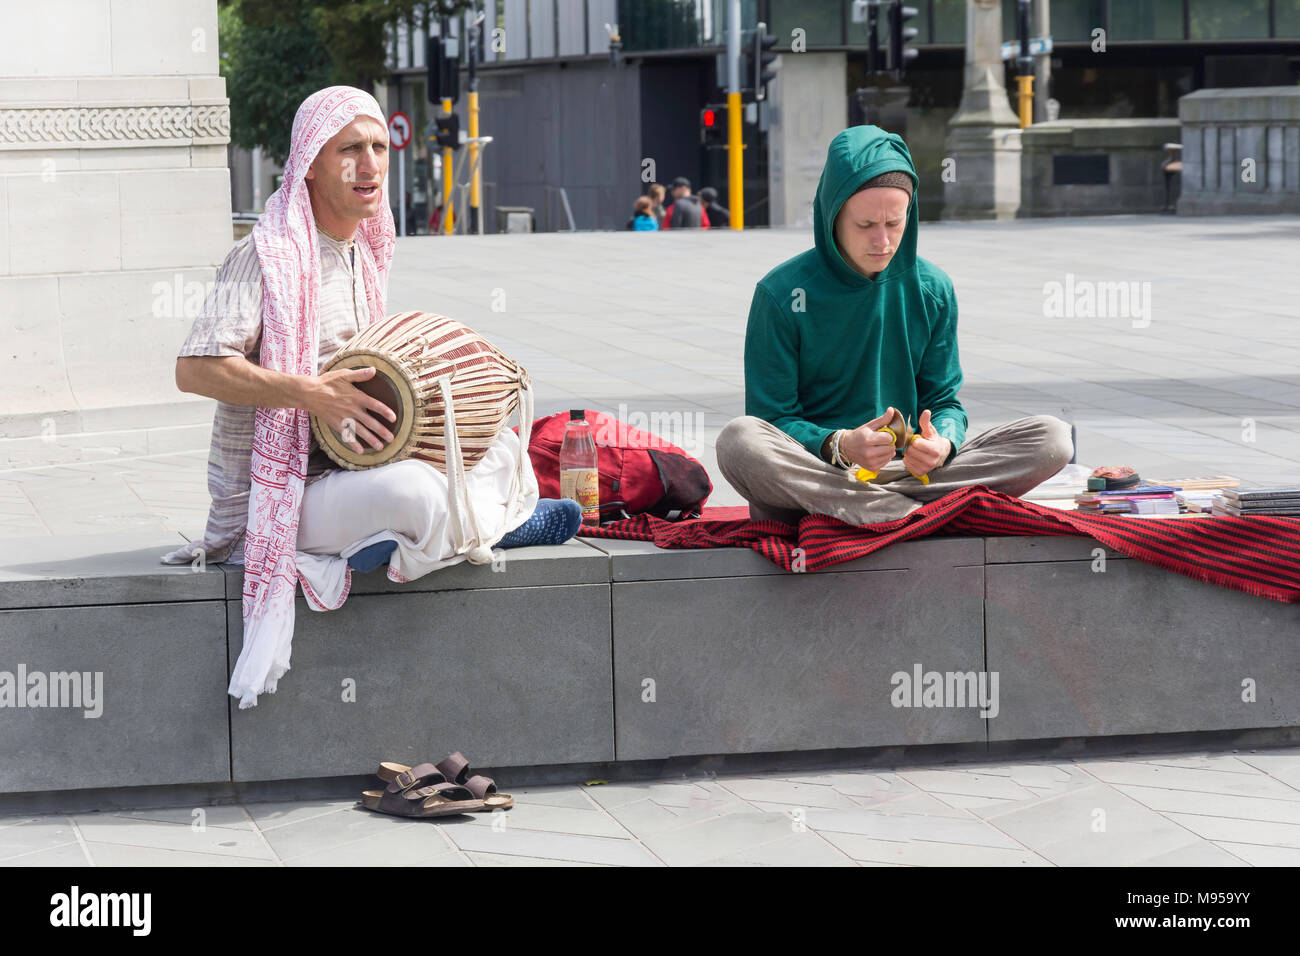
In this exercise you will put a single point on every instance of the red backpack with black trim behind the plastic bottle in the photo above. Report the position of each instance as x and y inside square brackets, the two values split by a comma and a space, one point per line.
[640, 473]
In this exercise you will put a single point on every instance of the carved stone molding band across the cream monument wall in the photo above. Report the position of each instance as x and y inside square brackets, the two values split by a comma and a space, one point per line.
[115, 127]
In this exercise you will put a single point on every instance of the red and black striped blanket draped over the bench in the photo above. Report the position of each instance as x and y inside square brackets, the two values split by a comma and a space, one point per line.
[1258, 555]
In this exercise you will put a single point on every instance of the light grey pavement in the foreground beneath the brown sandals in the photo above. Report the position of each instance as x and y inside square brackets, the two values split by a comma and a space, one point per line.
[1188, 810]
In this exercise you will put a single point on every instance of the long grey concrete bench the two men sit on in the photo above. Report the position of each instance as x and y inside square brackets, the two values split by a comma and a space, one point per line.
[616, 651]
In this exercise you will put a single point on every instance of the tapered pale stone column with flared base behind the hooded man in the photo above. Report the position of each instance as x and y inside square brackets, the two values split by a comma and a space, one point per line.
[982, 165]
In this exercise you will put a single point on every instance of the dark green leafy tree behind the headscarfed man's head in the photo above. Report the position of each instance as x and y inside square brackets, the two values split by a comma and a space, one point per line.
[278, 53]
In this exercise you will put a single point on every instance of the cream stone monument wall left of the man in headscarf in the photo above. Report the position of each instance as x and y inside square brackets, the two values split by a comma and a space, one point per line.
[114, 184]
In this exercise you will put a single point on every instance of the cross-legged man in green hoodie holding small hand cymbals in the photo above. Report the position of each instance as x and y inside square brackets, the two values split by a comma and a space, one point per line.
[847, 334]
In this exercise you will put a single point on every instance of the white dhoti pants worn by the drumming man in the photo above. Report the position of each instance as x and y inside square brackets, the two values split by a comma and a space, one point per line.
[406, 503]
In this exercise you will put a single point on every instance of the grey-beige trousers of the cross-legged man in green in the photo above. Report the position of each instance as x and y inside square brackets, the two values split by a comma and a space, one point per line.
[781, 481]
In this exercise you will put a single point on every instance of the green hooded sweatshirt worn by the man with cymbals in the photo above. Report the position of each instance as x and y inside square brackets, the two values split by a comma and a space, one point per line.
[827, 348]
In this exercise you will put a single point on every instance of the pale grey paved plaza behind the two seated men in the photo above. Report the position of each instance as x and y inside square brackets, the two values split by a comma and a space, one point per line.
[1199, 377]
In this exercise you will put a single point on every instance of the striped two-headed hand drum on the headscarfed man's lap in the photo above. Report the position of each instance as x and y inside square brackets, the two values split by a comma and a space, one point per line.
[453, 393]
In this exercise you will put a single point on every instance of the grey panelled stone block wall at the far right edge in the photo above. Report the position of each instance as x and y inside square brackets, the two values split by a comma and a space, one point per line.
[1241, 152]
